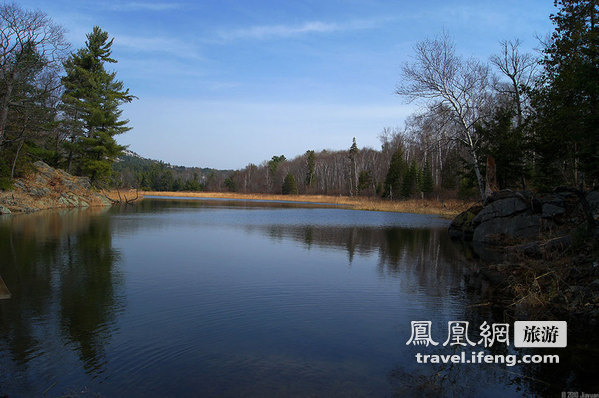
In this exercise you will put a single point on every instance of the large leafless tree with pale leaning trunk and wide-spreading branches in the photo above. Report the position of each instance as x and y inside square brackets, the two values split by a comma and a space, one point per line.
[453, 87]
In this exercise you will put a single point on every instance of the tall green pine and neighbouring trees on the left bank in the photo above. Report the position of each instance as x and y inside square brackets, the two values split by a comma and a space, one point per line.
[57, 106]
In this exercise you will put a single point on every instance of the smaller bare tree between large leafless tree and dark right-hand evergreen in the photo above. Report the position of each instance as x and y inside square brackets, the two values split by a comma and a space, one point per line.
[520, 69]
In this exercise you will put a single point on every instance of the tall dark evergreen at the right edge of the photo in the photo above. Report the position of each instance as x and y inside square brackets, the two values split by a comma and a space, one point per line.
[566, 98]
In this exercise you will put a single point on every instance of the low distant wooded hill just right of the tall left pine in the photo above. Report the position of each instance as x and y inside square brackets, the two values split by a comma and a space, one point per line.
[132, 170]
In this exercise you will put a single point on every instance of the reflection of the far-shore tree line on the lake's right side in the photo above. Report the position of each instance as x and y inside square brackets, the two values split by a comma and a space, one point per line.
[428, 255]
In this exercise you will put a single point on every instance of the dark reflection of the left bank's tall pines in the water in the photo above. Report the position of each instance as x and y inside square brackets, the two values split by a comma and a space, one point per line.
[59, 267]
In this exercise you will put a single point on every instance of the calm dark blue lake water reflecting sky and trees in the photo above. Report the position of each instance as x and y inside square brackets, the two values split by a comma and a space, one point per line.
[227, 298]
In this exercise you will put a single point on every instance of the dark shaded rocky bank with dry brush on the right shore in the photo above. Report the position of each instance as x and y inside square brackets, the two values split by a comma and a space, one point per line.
[540, 250]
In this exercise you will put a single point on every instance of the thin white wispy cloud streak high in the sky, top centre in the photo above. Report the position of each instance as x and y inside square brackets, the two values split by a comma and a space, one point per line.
[284, 31]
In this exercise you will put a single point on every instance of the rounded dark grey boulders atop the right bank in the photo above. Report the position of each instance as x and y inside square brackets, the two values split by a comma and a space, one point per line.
[512, 217]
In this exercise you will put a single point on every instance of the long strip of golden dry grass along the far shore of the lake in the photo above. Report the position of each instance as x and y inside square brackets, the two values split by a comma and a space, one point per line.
[447, 208]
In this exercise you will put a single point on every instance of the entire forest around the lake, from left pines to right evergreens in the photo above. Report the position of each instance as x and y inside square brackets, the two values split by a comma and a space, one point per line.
[531, 117]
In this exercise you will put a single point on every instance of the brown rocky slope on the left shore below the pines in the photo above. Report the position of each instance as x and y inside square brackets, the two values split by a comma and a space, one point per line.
[50, 188]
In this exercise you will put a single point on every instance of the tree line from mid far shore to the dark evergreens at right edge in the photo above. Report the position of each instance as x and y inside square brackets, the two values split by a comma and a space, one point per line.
[533, 119]
